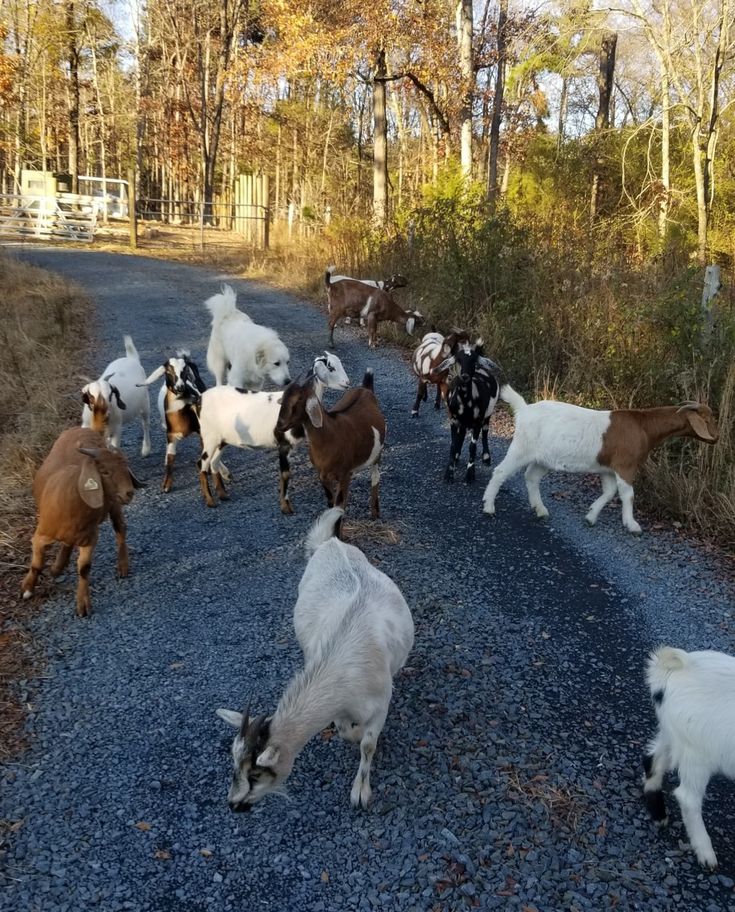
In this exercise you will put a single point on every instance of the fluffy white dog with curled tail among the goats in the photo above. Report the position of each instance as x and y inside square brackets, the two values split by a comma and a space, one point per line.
[251, 351]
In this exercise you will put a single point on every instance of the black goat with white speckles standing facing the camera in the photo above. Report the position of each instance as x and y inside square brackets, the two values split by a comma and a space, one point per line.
[473, 395]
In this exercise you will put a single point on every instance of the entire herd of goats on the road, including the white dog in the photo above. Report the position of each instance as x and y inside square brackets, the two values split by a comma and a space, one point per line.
[352, 622]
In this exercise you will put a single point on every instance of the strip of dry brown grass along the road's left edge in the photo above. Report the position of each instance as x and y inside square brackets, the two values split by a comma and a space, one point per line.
[44, 328]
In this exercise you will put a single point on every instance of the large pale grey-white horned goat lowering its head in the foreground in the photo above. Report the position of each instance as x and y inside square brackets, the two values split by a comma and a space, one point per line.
[356, 631]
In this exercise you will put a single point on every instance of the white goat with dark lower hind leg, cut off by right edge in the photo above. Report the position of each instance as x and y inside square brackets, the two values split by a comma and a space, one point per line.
[694, 697]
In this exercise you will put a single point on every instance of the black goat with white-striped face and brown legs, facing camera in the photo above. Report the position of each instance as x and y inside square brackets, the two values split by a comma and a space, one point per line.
[179, 400]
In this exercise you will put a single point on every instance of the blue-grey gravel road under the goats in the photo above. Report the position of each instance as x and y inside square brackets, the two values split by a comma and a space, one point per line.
[508, 773]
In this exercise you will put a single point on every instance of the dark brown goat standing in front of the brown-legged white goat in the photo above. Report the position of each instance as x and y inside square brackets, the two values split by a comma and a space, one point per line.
[342, 440]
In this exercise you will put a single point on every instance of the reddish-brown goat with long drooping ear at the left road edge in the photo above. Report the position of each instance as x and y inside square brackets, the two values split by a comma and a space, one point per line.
[79, 483]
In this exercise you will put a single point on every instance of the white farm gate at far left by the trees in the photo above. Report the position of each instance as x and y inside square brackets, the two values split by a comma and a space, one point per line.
[67, 216]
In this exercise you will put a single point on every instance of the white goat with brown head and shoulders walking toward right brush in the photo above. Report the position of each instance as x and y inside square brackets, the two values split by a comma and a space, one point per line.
[558, 436]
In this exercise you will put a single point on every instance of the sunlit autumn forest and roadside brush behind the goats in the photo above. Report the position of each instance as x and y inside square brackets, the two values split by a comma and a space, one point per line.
[555, 177]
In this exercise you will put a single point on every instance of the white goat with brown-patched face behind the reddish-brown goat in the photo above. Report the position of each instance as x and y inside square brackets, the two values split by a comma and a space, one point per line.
[118, 398]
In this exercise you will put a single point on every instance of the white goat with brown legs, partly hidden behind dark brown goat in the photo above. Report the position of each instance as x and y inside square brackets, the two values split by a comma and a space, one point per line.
[248, 420]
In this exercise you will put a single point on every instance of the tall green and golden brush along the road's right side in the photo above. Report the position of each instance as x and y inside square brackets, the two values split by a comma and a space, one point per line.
[565, 314]
